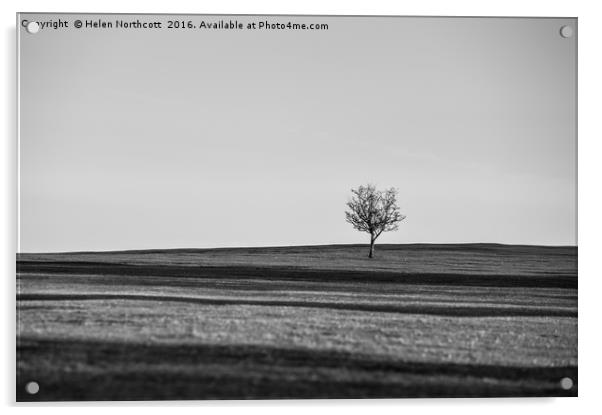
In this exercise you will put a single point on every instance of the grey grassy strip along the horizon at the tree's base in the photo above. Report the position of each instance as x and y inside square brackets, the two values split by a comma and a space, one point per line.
[453, 258]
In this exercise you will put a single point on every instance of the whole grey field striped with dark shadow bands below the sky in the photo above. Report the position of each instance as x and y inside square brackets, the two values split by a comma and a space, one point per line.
[298, 322]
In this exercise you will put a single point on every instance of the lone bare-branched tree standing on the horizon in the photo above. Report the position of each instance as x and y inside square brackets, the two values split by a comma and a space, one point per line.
[373, 211]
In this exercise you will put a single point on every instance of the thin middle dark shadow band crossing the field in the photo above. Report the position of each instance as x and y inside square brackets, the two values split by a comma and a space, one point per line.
[429, 309]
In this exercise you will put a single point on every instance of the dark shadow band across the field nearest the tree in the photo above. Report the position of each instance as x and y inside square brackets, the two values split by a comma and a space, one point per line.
[299, 274]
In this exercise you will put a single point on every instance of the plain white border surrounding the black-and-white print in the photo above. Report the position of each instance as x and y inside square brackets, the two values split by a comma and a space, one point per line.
[590, 231]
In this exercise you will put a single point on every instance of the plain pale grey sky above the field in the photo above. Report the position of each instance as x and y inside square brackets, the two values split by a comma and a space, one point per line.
[189, 138]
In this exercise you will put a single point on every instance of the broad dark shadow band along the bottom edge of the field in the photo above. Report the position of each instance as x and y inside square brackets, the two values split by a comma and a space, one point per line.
[71, 369]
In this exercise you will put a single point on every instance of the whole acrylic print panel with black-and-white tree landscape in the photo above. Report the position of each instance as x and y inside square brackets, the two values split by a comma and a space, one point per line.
[258, 207]
